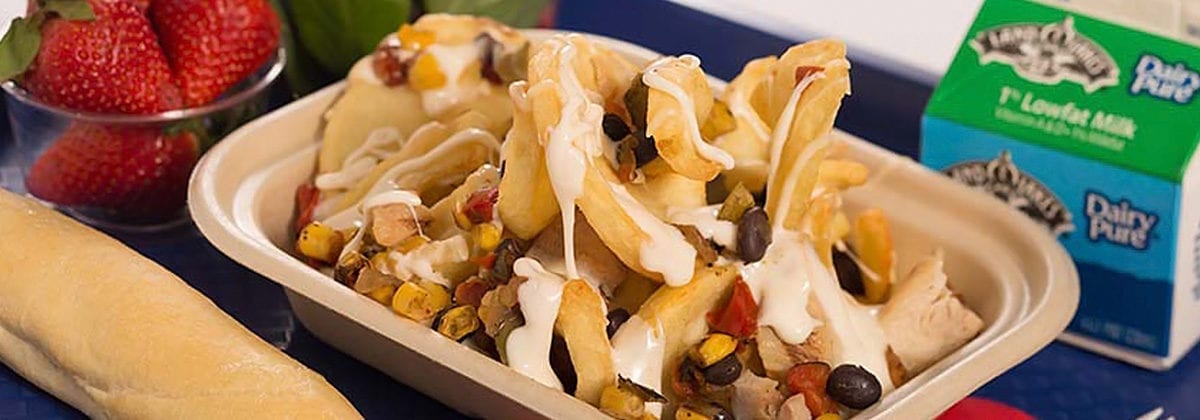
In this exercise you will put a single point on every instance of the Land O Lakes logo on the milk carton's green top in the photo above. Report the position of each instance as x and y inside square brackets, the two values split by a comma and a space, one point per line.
[1048, 55]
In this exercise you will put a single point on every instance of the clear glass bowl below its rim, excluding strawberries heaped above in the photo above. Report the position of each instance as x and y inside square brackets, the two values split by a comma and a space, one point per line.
[121, 171]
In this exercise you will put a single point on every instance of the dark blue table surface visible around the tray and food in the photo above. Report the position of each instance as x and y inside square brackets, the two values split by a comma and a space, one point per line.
[1060, 382]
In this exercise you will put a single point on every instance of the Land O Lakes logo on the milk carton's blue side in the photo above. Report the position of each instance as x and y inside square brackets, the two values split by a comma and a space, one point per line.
[1001, 178]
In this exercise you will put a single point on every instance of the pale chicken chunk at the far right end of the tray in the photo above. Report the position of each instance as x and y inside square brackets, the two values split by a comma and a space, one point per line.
[925, 321]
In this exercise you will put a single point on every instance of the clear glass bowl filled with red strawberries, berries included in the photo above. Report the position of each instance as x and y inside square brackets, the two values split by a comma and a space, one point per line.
[112, 103]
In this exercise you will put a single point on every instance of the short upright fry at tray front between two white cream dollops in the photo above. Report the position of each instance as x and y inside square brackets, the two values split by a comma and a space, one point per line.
[584, 326]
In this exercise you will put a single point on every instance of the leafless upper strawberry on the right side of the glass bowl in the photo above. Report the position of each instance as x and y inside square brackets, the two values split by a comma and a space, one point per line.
[213, 45]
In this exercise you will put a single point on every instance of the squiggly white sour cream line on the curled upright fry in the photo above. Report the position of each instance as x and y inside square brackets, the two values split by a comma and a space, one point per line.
[692, 127]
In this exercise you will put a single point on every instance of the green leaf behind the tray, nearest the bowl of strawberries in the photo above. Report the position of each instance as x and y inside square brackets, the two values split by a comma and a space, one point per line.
[339, 33]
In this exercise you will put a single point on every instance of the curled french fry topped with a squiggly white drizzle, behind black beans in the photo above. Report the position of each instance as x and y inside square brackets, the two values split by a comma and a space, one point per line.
[675, 123]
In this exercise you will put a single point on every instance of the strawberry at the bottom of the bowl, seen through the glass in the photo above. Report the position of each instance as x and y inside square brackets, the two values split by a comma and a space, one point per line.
[140, 172]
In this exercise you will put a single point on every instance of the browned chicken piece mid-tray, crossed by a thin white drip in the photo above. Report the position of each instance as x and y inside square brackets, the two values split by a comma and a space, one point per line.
[596, 263]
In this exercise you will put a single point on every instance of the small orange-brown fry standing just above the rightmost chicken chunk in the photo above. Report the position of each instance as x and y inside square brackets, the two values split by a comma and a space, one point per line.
[872, 238]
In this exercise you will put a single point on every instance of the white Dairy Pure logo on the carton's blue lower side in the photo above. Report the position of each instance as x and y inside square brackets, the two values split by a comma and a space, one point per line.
[1118, 221]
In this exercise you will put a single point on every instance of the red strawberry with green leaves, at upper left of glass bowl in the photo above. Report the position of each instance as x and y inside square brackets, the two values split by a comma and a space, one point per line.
[95, 56]
